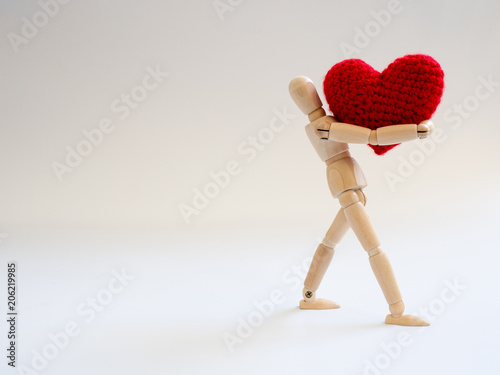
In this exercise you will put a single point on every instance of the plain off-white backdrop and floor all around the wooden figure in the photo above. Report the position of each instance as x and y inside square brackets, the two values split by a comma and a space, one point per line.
[196, 280]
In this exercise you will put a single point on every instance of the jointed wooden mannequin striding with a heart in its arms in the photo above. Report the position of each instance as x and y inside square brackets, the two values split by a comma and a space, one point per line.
[346, 181]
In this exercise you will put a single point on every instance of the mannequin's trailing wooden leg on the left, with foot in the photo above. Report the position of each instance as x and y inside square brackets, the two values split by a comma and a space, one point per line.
[321, 260]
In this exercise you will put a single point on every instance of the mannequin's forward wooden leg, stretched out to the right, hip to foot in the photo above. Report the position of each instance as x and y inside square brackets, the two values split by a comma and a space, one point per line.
[353, 202]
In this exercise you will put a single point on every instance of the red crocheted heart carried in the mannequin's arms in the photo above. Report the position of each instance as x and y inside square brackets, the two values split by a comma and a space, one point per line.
[408, 91]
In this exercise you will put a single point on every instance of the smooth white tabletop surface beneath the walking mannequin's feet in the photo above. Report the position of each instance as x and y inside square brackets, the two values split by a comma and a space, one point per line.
[191, 289]
